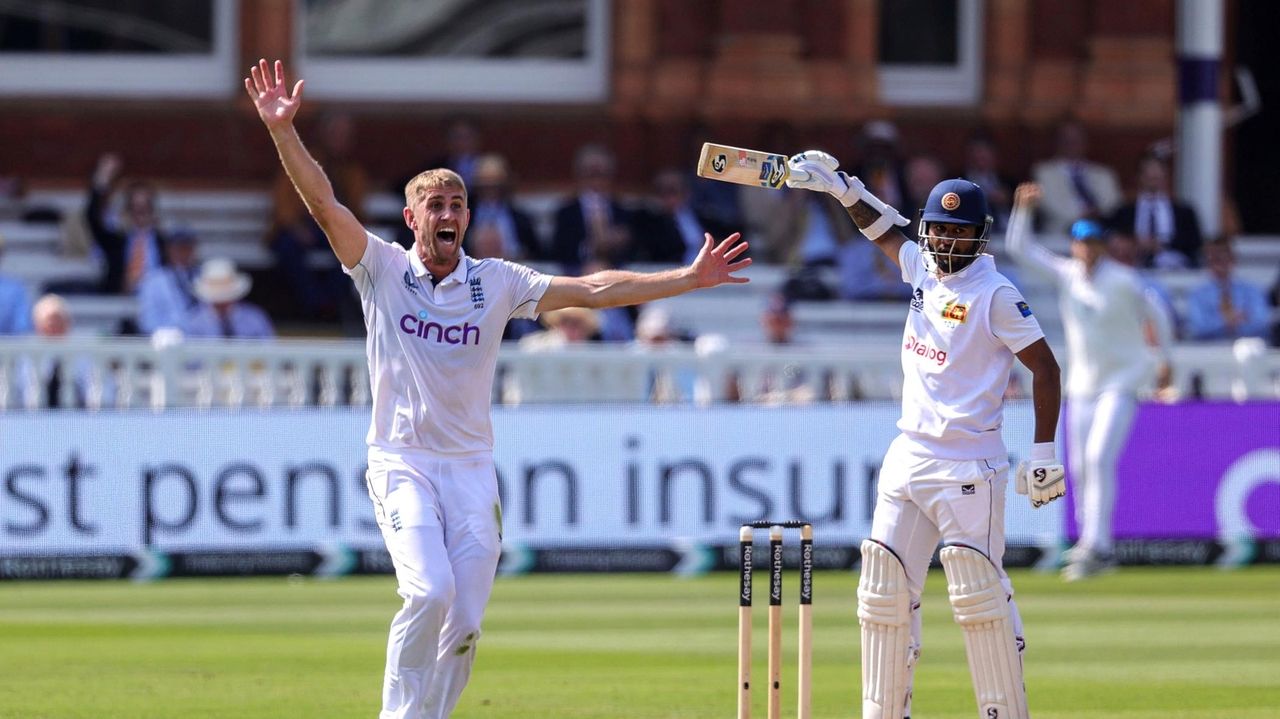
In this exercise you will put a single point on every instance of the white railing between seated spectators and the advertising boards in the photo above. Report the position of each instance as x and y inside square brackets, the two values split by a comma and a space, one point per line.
[131, 373]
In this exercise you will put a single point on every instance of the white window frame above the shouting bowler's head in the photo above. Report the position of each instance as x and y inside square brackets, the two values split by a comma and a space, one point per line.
[488, 81]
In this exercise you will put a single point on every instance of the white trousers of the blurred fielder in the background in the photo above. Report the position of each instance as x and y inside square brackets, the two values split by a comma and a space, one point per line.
[1098, 431]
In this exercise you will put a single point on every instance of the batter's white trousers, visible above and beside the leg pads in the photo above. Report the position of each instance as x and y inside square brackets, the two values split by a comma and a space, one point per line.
[921, 501]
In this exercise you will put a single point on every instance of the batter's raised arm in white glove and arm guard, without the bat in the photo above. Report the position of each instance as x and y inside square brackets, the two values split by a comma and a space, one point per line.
[879, 222]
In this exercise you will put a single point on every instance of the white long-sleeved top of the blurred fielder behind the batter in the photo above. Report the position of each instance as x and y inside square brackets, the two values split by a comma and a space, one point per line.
[1104, 317]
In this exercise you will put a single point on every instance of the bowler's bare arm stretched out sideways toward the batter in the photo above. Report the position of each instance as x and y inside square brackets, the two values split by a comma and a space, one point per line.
[715, 265]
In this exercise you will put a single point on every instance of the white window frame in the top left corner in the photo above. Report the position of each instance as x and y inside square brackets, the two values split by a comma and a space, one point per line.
[115, 75]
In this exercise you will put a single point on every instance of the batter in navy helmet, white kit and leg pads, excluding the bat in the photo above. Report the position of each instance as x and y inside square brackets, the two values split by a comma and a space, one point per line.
[945, 475]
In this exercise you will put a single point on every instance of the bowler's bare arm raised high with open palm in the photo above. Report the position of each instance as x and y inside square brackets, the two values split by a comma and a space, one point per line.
[277, 107]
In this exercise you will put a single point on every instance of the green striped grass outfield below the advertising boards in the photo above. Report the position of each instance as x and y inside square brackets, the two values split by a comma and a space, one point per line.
[1142, 644]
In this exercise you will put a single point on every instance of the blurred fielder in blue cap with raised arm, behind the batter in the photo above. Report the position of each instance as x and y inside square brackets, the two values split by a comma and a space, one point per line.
[1107, 314]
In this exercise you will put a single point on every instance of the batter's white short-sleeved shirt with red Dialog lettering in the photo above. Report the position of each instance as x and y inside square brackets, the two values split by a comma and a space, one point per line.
[958, 350]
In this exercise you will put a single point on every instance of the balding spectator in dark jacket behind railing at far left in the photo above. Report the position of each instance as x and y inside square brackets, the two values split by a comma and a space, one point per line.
[51, 383]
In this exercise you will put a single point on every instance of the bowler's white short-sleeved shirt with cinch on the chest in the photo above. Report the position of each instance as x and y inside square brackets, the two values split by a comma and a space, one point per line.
[433, 350]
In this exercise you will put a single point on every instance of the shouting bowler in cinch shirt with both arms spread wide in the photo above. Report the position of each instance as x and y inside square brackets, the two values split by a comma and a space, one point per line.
[436, 319]
